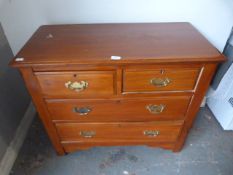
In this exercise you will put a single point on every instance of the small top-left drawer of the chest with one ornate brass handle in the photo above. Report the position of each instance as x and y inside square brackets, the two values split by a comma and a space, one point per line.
[76, 84]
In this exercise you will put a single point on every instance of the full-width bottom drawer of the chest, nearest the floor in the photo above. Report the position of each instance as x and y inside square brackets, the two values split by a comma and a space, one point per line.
[160, 131]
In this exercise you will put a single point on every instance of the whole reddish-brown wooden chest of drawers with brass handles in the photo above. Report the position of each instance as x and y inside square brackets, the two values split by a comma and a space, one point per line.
[150, 96]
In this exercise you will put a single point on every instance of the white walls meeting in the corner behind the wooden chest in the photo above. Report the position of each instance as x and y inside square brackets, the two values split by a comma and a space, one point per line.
[213, 18]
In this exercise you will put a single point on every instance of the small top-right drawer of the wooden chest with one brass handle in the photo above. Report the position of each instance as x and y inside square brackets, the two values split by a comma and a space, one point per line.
[170, 79]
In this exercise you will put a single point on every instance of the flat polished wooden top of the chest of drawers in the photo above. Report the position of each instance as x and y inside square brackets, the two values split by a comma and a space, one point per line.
[135, 43]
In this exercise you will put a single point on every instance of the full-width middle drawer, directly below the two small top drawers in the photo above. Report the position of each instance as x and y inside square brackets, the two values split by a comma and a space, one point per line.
[144, 109]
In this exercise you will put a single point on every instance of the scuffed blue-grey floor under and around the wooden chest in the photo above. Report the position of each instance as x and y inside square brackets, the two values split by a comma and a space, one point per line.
[208, 151]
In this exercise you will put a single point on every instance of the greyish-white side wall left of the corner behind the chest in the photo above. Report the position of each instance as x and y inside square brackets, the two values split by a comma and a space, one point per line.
[20, 18]
